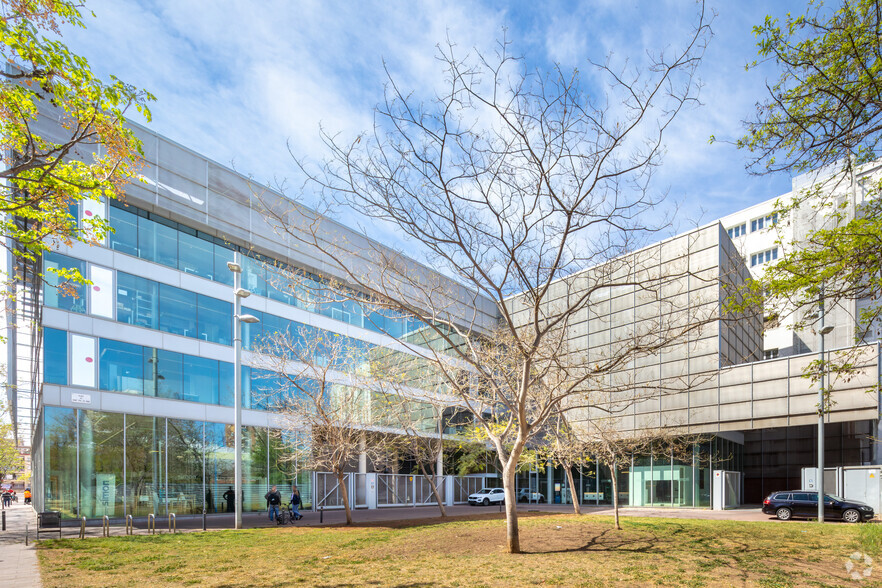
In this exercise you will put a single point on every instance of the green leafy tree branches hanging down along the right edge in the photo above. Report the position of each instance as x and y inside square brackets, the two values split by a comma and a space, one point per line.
[824, 112]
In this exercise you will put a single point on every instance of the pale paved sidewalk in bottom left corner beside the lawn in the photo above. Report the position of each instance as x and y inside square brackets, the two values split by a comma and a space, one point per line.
[18, 564]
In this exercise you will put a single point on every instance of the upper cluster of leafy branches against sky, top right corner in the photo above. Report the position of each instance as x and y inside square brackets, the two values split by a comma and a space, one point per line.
[825, 108]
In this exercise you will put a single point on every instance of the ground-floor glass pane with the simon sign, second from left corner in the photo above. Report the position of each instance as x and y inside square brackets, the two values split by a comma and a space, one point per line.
[101, 464]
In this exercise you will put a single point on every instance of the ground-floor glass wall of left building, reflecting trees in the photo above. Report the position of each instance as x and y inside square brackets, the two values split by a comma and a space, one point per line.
[95, 463]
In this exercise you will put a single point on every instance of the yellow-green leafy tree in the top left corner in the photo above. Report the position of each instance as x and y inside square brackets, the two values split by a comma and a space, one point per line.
[90, 153]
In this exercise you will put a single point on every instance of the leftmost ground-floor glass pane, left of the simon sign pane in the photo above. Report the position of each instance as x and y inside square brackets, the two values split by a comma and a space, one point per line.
[60, 460]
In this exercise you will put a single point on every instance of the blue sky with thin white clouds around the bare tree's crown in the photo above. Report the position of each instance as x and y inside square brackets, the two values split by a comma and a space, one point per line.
[239, 81]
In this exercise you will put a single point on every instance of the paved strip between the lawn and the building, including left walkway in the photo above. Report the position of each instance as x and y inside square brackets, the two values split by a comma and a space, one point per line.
[18, 563]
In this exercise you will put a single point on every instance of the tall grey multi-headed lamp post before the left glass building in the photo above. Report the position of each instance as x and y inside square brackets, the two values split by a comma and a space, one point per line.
[238, 318]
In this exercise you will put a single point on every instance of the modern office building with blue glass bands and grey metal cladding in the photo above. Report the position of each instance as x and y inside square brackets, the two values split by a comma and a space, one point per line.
[124, 387]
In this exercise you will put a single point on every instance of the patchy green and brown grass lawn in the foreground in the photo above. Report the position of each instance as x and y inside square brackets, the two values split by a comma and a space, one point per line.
[562, 550]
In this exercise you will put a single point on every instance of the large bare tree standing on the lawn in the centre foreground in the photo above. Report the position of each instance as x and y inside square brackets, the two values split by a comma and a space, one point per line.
[510, 182]
